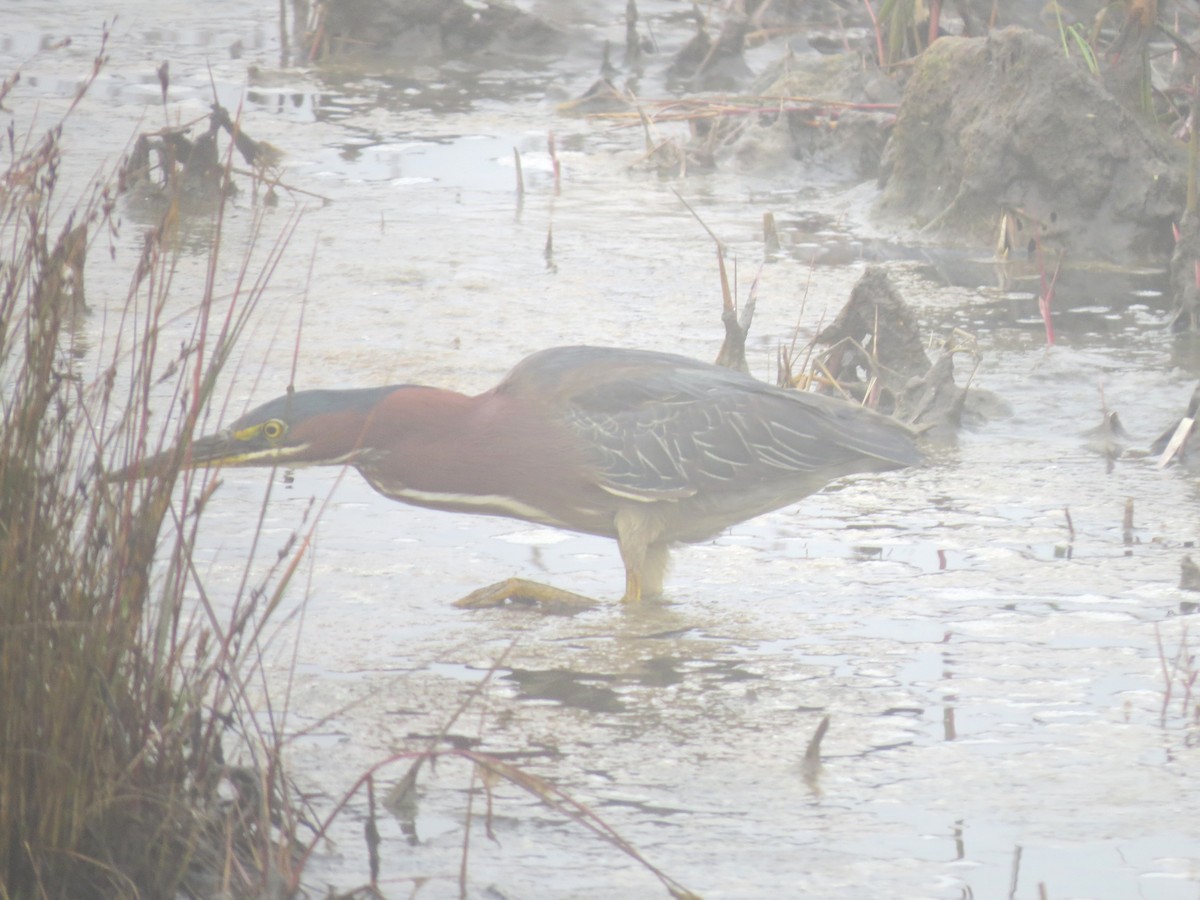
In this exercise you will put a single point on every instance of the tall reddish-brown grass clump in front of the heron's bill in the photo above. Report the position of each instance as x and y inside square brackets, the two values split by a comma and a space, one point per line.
[122, 688]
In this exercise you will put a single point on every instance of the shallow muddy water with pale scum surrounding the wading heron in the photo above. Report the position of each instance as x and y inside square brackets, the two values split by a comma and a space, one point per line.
[992, 674]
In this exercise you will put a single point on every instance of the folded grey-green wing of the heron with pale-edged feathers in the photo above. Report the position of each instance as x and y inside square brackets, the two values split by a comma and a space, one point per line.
[667, 428]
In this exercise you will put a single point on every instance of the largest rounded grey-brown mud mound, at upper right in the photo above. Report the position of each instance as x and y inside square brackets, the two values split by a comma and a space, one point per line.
[1006, 125]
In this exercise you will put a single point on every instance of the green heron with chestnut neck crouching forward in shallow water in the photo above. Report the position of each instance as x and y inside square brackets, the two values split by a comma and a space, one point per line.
[649, 448]
